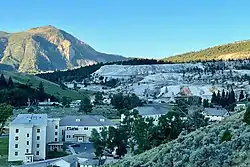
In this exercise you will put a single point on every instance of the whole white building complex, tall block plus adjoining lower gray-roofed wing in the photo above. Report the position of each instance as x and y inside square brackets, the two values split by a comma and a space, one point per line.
[31, 133]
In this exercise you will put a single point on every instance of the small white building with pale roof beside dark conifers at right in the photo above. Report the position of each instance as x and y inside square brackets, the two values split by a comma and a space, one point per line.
[215, 114]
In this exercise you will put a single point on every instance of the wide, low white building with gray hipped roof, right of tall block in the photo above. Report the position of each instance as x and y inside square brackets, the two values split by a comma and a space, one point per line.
[79, 128]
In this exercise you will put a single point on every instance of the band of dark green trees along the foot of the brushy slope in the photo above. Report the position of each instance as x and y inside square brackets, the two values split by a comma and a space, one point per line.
[140, 134]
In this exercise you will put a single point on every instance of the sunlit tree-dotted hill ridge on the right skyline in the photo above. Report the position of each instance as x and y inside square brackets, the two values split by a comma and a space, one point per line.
[236, 50]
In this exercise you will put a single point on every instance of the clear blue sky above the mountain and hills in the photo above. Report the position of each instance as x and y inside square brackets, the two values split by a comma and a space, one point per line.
[135, 28]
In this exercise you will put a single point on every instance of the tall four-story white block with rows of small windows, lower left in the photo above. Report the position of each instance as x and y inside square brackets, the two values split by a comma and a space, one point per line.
[27, 138]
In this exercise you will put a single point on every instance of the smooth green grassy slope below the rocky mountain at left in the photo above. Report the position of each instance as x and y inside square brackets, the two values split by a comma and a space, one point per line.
[50, 87]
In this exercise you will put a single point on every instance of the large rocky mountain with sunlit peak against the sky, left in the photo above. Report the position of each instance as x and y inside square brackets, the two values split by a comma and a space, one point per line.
[47, 49]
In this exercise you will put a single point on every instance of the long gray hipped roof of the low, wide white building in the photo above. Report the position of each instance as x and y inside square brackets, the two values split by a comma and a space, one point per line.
[86, 120]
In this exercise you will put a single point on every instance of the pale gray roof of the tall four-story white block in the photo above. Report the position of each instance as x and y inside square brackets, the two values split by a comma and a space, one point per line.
[30, 119]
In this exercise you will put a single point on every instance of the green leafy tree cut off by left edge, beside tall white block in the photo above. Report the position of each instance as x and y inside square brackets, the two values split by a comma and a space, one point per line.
[6, 112]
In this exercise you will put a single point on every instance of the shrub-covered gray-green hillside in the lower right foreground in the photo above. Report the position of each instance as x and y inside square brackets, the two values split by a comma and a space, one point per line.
[201, 148]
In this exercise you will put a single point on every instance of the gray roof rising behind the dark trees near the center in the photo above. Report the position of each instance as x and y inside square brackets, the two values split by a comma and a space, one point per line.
[152, 109]
